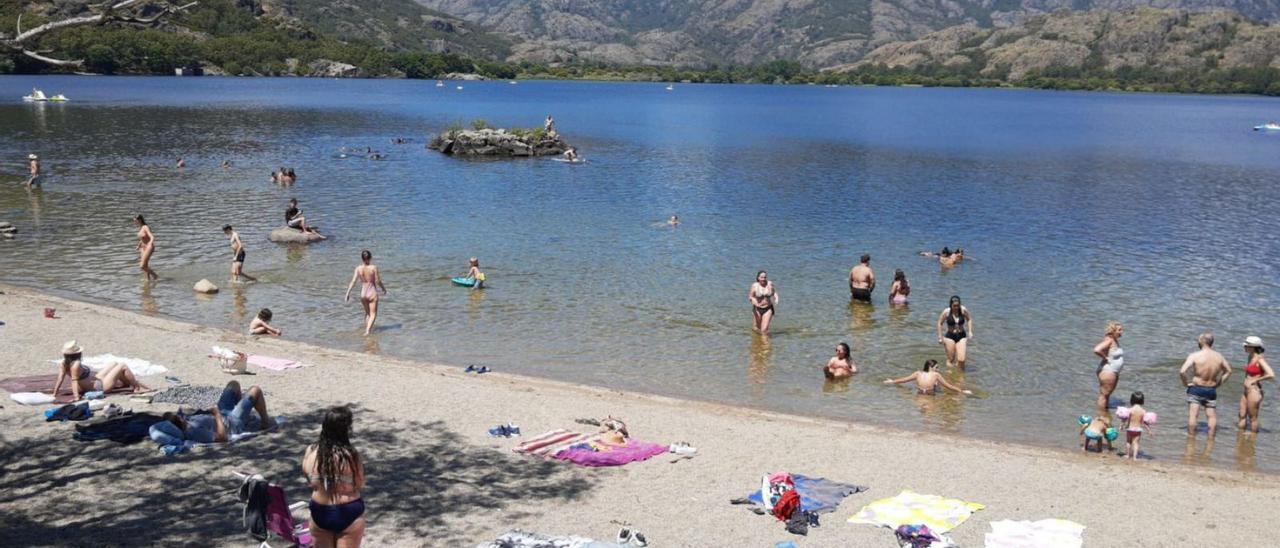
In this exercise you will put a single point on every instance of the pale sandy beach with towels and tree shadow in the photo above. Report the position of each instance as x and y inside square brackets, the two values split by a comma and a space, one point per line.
[436, 477]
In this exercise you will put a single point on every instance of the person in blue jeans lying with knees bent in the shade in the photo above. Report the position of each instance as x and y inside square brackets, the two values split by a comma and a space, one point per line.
[234, 415]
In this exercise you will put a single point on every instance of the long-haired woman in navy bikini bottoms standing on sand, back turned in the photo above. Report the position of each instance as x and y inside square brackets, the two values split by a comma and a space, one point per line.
[336, 473]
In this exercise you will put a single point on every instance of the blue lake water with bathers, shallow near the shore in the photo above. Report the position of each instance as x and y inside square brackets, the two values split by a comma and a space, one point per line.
[1155, 211]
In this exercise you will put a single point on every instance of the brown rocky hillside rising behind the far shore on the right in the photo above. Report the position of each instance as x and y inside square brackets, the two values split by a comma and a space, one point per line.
[1076, 44]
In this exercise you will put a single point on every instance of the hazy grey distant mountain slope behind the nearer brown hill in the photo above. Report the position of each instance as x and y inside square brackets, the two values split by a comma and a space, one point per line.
[703, 33]
